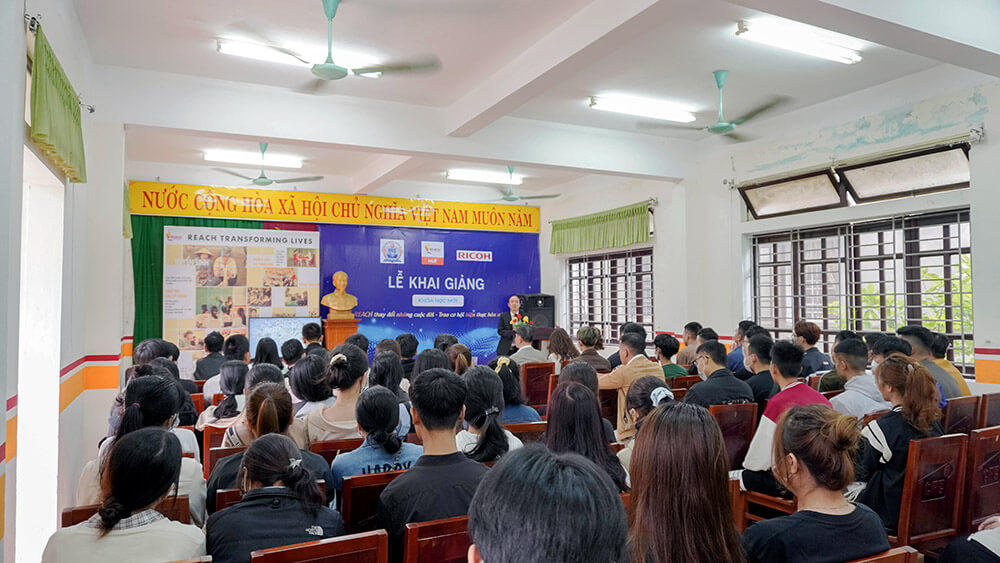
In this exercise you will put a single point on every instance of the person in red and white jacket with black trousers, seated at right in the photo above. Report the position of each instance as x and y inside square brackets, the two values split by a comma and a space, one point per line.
[786, 363]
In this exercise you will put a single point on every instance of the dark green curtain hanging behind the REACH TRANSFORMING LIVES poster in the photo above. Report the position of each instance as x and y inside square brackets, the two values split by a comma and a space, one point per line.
[147, 266]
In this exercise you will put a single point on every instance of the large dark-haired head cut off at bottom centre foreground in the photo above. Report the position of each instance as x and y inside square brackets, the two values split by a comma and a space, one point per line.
[521, 508]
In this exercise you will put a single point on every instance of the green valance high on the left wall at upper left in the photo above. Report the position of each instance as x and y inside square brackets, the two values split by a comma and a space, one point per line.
[55, 113]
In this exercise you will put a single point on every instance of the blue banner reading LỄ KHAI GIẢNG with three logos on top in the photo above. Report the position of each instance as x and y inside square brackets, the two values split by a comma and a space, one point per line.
[430, 281]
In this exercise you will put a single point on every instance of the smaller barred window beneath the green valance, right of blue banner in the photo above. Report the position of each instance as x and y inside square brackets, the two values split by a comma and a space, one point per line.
[608, 290]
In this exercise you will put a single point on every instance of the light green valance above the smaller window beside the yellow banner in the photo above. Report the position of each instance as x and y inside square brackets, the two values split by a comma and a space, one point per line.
[606, 229]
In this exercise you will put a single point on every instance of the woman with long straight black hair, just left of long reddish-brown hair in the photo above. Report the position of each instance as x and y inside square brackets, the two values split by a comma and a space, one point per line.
[574, 425]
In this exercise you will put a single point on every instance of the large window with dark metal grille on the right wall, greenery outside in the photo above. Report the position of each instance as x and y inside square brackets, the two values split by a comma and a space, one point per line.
[871, 276]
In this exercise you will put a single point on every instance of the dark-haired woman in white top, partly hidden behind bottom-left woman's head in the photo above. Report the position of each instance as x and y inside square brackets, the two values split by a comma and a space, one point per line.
[150, 401]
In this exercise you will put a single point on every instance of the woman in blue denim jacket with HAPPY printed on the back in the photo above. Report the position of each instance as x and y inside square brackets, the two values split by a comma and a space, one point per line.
[378, 416]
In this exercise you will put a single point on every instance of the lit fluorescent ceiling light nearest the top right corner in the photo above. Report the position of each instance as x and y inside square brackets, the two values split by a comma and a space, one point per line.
[801, 38]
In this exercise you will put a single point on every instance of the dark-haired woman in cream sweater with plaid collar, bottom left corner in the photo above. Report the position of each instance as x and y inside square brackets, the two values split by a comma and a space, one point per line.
[143, 469]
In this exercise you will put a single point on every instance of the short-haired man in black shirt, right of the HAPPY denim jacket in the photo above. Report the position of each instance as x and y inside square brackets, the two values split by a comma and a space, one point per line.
[442, 482]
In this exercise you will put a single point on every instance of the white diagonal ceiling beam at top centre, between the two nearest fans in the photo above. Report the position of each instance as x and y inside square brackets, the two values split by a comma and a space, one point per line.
[593, 32]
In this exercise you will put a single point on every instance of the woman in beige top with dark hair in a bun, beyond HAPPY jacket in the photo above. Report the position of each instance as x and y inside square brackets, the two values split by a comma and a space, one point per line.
[346, 369]
